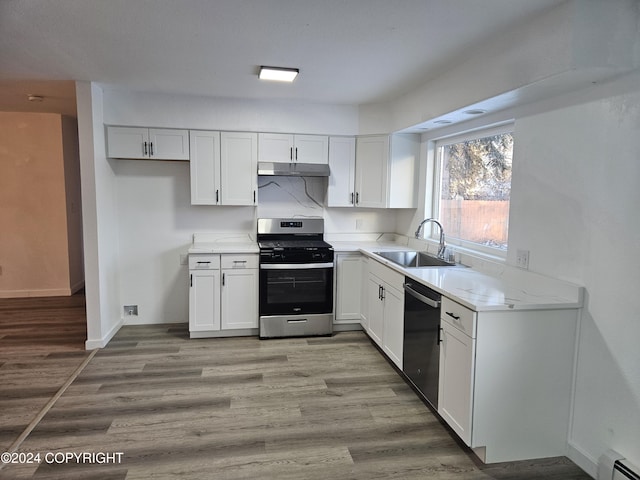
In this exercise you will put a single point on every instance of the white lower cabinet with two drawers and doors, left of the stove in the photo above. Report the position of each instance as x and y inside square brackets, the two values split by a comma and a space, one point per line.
[223, 294]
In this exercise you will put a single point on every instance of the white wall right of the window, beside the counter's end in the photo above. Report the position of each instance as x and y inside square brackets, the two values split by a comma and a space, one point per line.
[574, 205]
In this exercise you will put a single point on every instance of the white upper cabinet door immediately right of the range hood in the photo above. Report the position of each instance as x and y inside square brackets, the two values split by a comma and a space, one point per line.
[342, 167]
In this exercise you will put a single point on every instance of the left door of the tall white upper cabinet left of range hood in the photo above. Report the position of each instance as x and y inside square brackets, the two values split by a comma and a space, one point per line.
[205, 167]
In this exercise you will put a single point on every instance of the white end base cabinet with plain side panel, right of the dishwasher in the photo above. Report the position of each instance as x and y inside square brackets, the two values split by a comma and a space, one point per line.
[505, 380]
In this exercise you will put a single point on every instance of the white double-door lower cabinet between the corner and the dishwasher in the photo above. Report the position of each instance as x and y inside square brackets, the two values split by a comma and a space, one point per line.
[385, 310]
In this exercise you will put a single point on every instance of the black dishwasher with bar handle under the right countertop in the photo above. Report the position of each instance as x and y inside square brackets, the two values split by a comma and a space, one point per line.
[421, 357]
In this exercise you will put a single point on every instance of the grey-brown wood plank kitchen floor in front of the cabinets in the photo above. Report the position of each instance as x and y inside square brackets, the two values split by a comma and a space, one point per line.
[241, 408]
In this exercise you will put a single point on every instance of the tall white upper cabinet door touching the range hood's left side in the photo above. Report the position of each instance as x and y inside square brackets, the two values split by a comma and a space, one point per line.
[238, 168]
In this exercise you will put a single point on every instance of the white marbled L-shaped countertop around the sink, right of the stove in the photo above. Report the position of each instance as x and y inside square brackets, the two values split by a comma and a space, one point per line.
[512, 289]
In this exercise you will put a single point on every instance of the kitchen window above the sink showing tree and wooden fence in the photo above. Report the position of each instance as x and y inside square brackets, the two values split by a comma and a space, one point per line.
[472, 188]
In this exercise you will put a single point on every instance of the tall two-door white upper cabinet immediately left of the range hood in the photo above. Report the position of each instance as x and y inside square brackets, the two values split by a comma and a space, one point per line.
[223, 168]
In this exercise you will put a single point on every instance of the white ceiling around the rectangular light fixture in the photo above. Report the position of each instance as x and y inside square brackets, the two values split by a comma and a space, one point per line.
[348, 51]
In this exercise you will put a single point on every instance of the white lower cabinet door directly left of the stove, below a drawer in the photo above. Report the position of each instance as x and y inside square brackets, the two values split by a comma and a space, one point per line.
[239, 298]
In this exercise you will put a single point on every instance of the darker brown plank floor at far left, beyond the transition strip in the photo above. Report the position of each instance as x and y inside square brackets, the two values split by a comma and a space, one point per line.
[41, 345]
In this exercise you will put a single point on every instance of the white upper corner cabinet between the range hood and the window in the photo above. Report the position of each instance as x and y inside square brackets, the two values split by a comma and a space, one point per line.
[382, 173]
